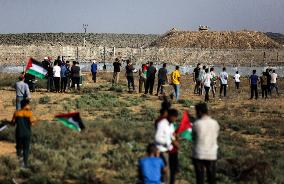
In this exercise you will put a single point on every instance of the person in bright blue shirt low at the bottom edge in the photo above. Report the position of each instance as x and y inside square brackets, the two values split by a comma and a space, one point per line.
[151, 168]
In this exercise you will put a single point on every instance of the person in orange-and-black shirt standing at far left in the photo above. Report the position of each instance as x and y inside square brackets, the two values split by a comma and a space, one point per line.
[23, 120]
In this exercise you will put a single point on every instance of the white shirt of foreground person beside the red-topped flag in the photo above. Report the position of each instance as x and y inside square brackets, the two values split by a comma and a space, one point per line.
[163, 136]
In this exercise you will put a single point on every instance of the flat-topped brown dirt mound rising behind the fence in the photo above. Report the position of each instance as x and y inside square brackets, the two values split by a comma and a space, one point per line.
[215, 40]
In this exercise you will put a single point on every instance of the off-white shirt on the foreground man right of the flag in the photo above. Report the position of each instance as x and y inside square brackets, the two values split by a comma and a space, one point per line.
[205, 132]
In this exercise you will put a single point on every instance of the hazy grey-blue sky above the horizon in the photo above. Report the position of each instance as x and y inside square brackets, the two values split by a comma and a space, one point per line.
[139, 16]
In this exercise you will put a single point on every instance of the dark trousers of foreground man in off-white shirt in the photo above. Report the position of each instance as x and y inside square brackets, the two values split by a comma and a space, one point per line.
[200, 166]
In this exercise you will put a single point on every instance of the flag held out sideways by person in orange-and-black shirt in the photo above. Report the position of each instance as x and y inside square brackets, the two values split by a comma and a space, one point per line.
[71, 120]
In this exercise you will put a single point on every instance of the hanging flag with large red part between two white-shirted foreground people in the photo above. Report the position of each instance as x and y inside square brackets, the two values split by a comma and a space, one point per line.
[185, 127]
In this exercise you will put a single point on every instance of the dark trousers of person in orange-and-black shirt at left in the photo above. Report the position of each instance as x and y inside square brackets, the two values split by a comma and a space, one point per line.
[23, 148]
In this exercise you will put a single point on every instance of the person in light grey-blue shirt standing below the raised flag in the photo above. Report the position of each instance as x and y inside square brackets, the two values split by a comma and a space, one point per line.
[22, 92]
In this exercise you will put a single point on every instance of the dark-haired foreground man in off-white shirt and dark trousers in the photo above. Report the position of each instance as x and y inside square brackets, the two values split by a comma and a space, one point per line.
[205, 131]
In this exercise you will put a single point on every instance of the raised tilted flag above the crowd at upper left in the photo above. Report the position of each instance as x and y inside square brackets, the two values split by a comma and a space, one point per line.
[35, 68]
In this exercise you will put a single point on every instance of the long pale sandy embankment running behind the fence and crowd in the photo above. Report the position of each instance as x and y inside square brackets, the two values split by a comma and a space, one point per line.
[16, 55]
